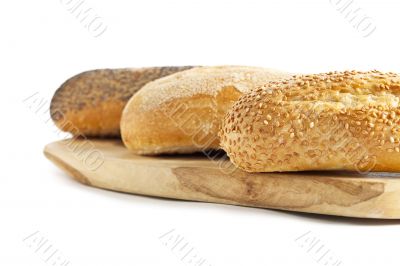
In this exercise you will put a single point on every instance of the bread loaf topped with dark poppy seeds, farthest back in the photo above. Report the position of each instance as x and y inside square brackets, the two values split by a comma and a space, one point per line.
[91, 102]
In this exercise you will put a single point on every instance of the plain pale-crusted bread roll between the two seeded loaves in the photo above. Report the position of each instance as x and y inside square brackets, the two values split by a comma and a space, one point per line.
[182, 113]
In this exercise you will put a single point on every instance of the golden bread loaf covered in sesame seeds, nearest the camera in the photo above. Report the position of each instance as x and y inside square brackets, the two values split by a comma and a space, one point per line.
[342, 120]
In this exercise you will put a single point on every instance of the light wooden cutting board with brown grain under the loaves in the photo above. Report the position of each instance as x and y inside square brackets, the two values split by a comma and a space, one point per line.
[107, 164]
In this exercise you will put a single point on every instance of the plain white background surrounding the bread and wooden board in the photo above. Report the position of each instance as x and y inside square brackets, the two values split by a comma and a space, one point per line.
[42, 44]
